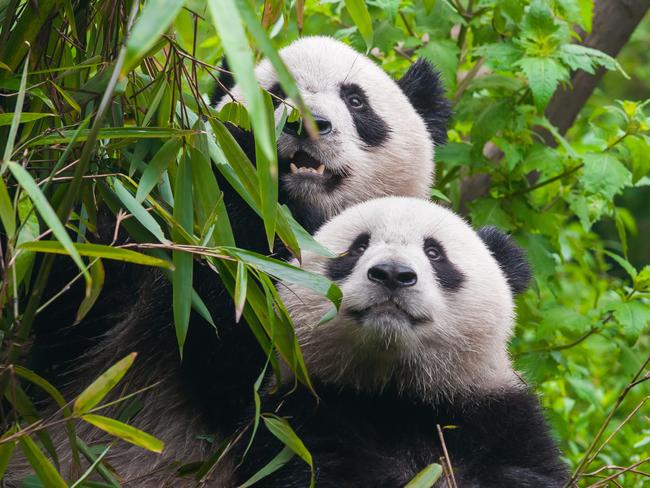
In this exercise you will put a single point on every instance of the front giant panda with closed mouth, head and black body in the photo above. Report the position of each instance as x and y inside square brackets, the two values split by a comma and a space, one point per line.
[419, 344]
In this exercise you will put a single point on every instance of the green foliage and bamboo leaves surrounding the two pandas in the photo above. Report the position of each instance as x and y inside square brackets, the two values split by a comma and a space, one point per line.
[89, 115]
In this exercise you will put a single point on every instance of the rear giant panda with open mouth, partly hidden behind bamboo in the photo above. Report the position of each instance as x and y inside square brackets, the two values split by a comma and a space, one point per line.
[377, 138]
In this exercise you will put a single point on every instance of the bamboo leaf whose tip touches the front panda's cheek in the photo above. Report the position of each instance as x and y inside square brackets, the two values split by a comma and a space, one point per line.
[287, 272]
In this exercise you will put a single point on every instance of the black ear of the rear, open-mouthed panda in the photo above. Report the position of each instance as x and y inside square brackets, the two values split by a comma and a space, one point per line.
[423, 87]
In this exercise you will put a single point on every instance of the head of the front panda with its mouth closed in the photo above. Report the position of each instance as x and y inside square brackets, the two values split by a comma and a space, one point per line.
[427, 302]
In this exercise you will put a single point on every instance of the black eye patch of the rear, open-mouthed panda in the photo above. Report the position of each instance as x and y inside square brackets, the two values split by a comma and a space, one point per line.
[371, 127]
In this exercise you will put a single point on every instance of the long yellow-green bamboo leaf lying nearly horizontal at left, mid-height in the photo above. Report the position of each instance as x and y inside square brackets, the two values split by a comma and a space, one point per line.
[98, 251]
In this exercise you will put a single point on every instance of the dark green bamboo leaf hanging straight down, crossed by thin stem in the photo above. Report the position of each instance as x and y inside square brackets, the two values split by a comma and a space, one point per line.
[182, 276]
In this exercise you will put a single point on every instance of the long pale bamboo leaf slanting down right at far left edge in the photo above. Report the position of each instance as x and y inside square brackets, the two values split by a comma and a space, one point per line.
[49, 216]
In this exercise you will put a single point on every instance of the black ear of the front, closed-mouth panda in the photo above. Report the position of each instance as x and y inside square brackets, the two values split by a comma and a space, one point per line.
[511, 258]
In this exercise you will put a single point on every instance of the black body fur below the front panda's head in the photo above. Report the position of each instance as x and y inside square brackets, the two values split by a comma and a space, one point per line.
[383, 441]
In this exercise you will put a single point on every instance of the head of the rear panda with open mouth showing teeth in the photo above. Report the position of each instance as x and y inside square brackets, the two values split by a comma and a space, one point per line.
[376, 135]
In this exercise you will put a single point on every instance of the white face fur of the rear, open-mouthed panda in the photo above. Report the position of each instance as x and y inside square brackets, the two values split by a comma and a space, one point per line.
[402, 165]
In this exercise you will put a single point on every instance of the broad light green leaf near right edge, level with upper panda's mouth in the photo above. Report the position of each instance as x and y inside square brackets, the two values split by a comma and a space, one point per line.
[605, 175]
